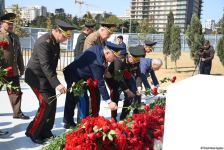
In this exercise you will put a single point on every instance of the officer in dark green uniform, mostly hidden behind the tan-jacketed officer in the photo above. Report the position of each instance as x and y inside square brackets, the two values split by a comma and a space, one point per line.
[88, 29]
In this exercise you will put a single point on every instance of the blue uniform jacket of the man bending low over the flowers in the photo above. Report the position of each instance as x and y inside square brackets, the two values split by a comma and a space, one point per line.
[90, 64]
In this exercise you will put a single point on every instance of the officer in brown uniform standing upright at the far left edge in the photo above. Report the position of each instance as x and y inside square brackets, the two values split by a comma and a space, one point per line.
[12, 58]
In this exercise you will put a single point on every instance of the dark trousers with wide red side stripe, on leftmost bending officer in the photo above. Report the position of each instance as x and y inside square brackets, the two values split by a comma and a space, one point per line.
[43, 122]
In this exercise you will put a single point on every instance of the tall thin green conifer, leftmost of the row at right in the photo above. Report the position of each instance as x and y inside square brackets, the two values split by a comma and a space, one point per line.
[167, 39]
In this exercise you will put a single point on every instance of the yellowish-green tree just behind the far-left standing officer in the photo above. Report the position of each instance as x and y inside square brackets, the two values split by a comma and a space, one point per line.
[19, 22]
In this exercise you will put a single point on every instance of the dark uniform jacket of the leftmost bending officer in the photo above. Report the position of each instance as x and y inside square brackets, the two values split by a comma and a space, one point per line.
[41, 68]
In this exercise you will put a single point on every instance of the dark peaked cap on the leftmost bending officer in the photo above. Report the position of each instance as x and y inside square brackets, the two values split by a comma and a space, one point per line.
[64, 27]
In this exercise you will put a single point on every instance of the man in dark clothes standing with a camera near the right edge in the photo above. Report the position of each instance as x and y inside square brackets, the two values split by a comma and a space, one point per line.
[206, 55]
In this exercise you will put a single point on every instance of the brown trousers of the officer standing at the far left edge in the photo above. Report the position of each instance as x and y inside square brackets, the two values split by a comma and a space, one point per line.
[15, 96]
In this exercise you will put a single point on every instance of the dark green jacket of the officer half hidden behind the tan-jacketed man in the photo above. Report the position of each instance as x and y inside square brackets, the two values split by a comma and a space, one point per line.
[80, 44]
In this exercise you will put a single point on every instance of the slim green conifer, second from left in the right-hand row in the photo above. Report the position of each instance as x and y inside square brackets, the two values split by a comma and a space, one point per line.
[175, 47]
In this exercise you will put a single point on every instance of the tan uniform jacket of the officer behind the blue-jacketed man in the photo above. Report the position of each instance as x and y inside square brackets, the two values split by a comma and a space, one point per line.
[93, 39]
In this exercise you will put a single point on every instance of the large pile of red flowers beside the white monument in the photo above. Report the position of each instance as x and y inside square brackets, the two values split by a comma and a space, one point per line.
[135, 133]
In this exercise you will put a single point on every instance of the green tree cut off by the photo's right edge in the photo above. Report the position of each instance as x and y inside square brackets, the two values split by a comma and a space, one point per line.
[220, 45]
